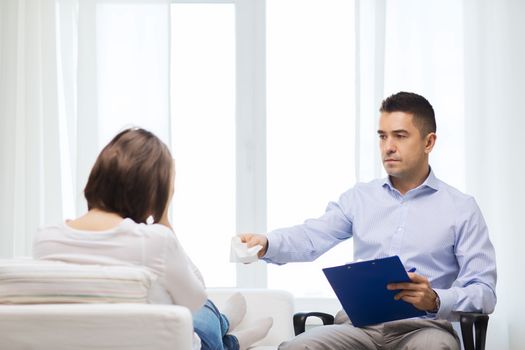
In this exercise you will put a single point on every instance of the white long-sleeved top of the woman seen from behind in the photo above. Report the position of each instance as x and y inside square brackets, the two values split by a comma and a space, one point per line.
[154, 247]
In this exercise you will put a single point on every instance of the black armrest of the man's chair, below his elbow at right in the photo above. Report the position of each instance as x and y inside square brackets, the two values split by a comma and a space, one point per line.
[477, 322]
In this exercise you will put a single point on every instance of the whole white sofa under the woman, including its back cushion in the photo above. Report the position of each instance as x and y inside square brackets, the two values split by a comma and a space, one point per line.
[57, 306]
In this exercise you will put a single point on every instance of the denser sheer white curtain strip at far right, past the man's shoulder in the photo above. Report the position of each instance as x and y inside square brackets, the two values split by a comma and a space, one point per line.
[494, 86]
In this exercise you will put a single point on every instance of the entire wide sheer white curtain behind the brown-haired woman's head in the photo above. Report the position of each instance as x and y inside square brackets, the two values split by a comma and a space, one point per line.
[72, 74]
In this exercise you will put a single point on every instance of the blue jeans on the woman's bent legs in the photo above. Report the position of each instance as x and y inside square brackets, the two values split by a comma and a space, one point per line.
[211, 326]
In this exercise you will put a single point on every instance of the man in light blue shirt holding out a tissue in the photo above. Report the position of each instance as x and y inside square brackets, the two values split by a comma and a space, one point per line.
[412, 214]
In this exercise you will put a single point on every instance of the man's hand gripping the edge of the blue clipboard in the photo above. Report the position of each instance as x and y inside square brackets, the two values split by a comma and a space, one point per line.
[418, 293]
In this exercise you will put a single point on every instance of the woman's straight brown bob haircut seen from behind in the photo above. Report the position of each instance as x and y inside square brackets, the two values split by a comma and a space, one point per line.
[131, 176]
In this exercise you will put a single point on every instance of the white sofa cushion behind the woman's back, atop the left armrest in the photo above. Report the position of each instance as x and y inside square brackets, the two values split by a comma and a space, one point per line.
[27, 281]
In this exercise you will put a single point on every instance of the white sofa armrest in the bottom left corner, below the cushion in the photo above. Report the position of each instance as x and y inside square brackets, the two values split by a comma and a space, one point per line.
[95, 326]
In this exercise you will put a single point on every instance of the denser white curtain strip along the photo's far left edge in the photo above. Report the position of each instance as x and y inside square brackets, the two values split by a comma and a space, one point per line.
[30, 179]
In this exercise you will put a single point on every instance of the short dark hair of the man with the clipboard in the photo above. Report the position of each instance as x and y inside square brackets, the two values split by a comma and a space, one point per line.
[417, 105]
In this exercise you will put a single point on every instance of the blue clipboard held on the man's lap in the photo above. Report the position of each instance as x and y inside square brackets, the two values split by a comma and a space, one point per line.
[361, 289]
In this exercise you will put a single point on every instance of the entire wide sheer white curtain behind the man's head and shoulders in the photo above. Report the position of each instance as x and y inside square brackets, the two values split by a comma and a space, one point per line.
[467, 59]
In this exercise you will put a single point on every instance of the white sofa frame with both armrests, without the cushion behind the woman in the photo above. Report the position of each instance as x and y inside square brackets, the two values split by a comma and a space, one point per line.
[130, 326]
